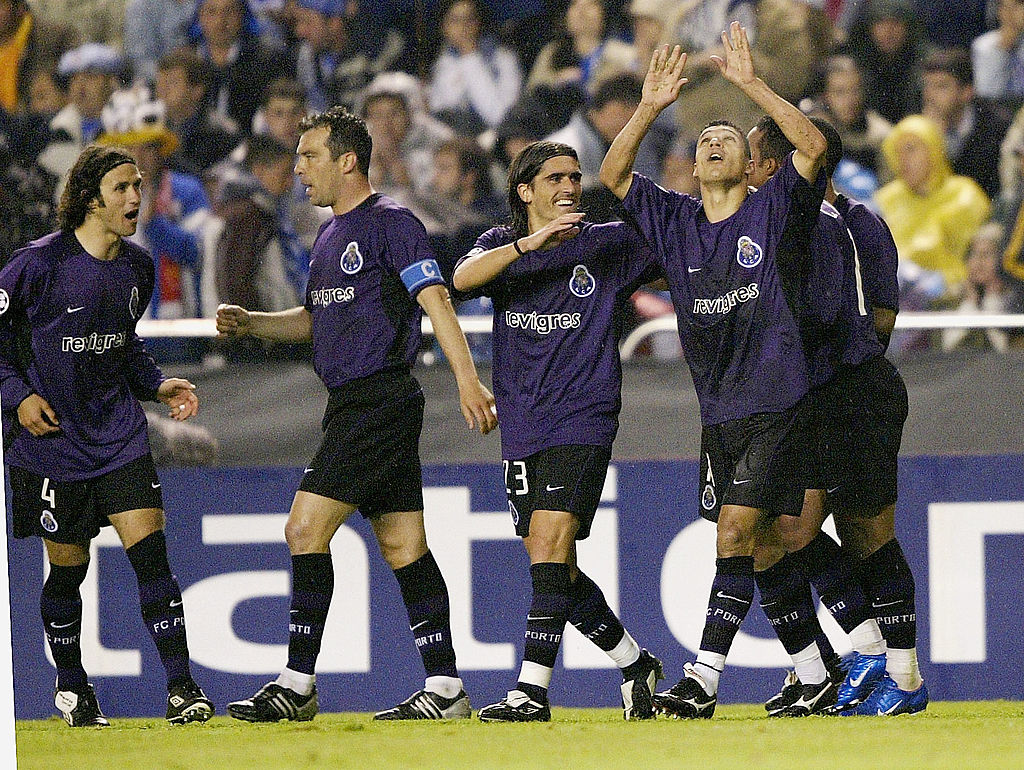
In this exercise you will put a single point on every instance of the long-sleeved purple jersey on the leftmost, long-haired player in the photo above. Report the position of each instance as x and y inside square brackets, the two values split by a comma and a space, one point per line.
[68, 333]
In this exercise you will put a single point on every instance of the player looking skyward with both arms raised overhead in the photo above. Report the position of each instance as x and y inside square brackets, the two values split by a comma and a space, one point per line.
[735, 292]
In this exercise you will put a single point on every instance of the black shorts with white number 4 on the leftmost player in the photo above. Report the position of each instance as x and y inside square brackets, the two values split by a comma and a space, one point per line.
[74, 511]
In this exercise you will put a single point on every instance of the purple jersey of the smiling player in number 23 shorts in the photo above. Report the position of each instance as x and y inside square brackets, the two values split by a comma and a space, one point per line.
[557, 371]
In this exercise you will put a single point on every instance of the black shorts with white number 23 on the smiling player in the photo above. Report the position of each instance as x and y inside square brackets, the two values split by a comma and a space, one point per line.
[567, 479]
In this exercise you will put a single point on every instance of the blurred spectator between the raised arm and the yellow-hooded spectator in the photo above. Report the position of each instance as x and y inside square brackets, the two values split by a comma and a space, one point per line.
[842, 104]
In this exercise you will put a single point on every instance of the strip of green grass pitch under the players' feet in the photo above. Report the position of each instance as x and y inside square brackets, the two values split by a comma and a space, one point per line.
[972, 736]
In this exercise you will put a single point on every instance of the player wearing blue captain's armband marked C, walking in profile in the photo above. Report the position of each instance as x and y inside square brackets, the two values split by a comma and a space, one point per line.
[372, 271]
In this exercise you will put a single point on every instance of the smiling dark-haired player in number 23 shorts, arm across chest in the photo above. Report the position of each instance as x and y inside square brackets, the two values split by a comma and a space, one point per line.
[559, 284]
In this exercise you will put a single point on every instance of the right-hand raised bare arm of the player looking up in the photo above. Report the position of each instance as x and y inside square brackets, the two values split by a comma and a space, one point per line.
[738, 68]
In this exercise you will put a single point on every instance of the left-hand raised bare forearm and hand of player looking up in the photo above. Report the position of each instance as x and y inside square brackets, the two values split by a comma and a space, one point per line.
[661, 89]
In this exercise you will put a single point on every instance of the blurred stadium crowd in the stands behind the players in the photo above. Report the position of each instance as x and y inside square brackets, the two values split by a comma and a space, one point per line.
[208, 95]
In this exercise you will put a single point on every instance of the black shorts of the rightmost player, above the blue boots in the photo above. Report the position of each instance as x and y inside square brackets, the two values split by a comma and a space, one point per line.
[859, 426]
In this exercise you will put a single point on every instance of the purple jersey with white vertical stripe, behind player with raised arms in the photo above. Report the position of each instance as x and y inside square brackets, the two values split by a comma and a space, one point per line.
[836, 322]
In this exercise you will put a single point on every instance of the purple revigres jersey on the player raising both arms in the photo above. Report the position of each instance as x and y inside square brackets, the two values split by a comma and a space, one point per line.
[734, 290]
